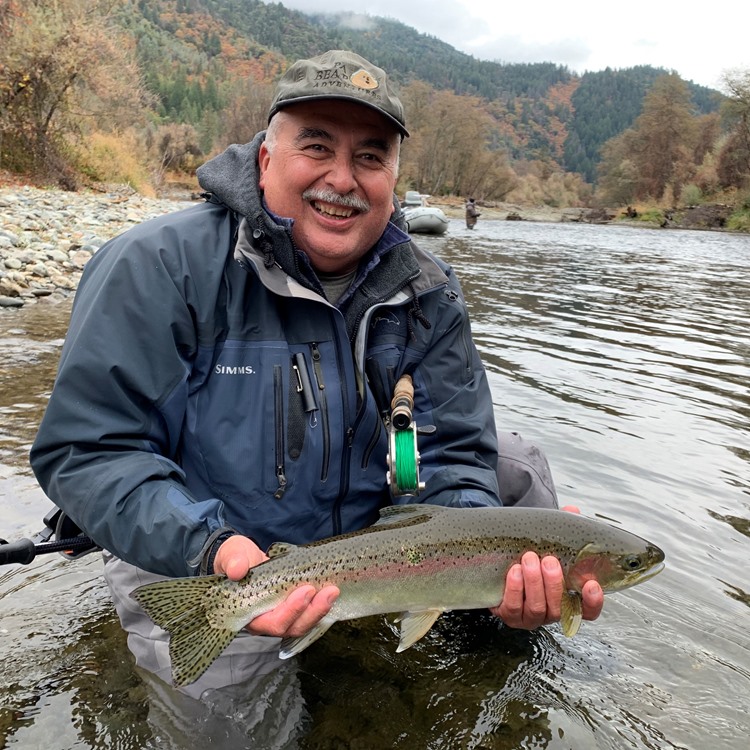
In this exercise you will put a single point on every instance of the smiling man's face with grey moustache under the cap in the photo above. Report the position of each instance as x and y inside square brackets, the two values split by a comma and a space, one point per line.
[333, 169]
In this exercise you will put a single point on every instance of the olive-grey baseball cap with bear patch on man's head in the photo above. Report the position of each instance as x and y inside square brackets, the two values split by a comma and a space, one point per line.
[339, 74]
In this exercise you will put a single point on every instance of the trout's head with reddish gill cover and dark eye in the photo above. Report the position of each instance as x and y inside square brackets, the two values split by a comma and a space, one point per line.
[615, 566]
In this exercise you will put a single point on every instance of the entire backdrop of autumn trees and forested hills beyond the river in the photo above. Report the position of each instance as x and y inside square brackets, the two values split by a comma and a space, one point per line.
[136, 90]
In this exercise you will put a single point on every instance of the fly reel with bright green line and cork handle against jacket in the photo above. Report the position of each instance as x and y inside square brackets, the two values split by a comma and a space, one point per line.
[403, 457]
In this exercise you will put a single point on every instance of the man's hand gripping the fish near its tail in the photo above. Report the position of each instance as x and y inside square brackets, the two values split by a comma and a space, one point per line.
[295, 616]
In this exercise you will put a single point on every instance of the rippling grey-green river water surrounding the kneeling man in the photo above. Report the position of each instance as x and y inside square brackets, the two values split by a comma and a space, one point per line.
[626, 354]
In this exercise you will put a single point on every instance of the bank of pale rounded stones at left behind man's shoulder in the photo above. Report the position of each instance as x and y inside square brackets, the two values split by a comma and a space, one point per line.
[47, 236]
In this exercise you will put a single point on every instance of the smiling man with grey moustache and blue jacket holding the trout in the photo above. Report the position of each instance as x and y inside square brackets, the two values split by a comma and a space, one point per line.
[227, 370]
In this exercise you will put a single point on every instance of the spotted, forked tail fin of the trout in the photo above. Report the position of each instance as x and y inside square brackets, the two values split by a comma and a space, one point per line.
[179, 606]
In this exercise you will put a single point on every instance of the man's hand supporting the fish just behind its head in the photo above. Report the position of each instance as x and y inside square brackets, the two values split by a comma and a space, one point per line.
[534, 589]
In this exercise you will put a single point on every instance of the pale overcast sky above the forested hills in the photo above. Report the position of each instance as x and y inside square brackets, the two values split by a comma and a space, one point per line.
[698, 42]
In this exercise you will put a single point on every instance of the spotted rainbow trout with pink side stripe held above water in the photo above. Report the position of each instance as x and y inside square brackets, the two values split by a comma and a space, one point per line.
[418, 560]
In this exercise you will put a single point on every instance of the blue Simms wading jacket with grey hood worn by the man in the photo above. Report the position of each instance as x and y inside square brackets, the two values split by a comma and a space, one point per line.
[207, 385]
